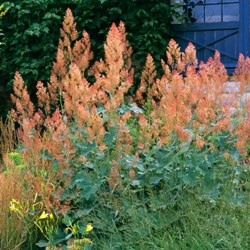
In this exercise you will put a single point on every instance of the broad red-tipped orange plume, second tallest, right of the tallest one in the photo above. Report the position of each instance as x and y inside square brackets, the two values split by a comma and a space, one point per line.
[114, 75]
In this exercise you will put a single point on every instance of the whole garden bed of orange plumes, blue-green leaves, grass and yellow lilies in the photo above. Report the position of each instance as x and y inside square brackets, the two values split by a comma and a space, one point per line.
[92, 167]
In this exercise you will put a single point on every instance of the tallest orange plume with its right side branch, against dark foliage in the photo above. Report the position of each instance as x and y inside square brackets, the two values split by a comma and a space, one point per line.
[70, 50]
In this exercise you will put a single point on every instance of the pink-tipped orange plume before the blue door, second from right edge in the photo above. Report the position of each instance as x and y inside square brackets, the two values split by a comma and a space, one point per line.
[213, 101]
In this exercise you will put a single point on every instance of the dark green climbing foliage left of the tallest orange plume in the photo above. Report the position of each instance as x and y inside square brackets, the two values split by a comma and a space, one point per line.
[31, 35]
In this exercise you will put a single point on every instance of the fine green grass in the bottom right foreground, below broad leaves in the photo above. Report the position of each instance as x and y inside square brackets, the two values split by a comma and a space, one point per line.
[191, 224]
